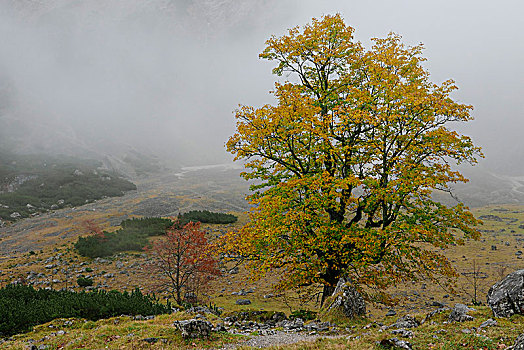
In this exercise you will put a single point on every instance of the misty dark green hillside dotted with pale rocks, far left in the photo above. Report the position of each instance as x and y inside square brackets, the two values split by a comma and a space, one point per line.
[31, 185]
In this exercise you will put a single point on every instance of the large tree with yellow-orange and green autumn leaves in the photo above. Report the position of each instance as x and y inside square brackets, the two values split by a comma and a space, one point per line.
[346, 162]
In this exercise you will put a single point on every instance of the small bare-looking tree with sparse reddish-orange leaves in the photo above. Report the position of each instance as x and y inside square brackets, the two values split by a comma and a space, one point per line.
[182, 260]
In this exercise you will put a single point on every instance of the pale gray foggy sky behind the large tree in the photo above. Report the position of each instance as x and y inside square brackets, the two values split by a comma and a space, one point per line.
[165, 76]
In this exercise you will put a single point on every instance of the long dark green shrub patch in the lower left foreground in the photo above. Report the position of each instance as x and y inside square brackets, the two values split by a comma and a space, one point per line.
[22, 307]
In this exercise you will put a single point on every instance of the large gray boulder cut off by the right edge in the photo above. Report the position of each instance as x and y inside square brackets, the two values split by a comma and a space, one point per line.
[506, 297]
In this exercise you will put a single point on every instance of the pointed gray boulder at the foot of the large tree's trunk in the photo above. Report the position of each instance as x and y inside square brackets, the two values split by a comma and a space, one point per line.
[348, 300]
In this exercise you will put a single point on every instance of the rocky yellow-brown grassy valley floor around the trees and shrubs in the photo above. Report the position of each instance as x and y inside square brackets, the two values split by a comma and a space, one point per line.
[39, 251]
